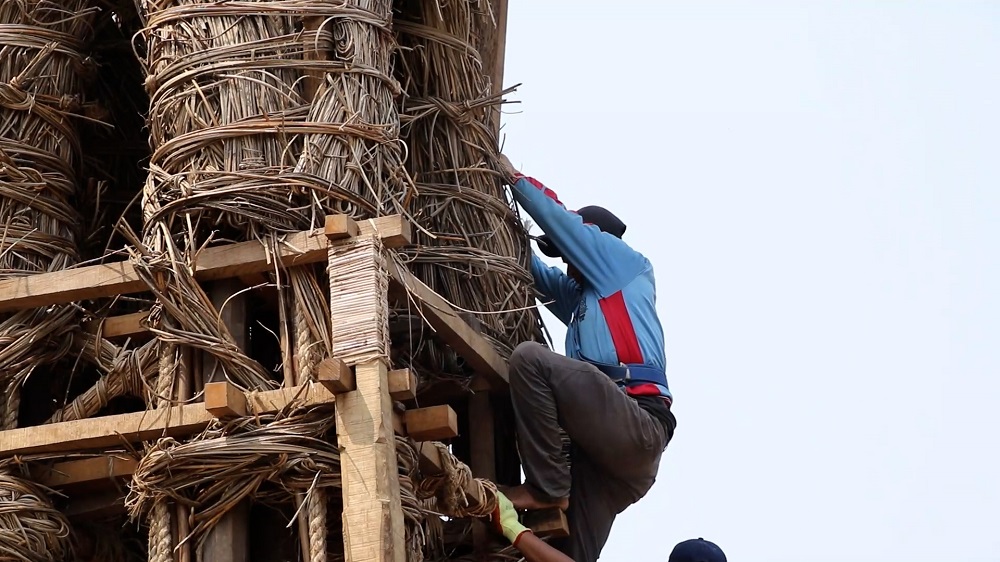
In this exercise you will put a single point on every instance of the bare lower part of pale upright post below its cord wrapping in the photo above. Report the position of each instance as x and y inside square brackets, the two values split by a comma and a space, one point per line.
[373, 515]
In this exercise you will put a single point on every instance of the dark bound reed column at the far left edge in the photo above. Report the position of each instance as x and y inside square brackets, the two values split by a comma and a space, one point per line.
[40, 68]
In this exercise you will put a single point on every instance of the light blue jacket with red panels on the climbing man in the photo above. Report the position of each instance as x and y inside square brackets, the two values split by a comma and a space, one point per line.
[610, 318]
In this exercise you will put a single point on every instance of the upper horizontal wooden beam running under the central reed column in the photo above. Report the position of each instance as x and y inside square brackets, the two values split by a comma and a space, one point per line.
[219, 262]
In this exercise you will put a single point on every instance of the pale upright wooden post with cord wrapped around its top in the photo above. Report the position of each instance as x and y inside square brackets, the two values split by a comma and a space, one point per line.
[373, 514]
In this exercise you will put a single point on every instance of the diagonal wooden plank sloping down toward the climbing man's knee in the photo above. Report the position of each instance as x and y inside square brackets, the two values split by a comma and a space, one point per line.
[452, 329]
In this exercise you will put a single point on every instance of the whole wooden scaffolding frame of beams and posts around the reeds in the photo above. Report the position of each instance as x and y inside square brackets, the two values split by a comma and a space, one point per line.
[361, 391]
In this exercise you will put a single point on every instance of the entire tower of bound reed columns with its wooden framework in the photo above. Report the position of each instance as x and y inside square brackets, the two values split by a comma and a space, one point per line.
[258, 280]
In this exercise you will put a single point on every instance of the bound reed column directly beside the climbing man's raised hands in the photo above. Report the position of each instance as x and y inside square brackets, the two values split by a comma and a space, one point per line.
[479, 257]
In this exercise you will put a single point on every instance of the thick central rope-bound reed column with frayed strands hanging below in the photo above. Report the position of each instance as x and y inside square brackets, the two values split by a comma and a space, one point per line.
[264, 117]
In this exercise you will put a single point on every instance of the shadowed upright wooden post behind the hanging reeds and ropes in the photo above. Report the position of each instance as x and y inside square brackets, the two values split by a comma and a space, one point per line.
[227, 541]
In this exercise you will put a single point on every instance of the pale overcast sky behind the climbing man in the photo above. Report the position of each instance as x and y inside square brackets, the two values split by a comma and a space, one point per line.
[816, 183]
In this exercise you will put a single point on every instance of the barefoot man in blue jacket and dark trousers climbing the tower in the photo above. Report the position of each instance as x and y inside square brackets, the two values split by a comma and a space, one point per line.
[609, 393]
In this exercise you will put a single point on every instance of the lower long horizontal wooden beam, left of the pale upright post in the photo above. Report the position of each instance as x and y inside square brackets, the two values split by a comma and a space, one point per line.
[175, 421]
